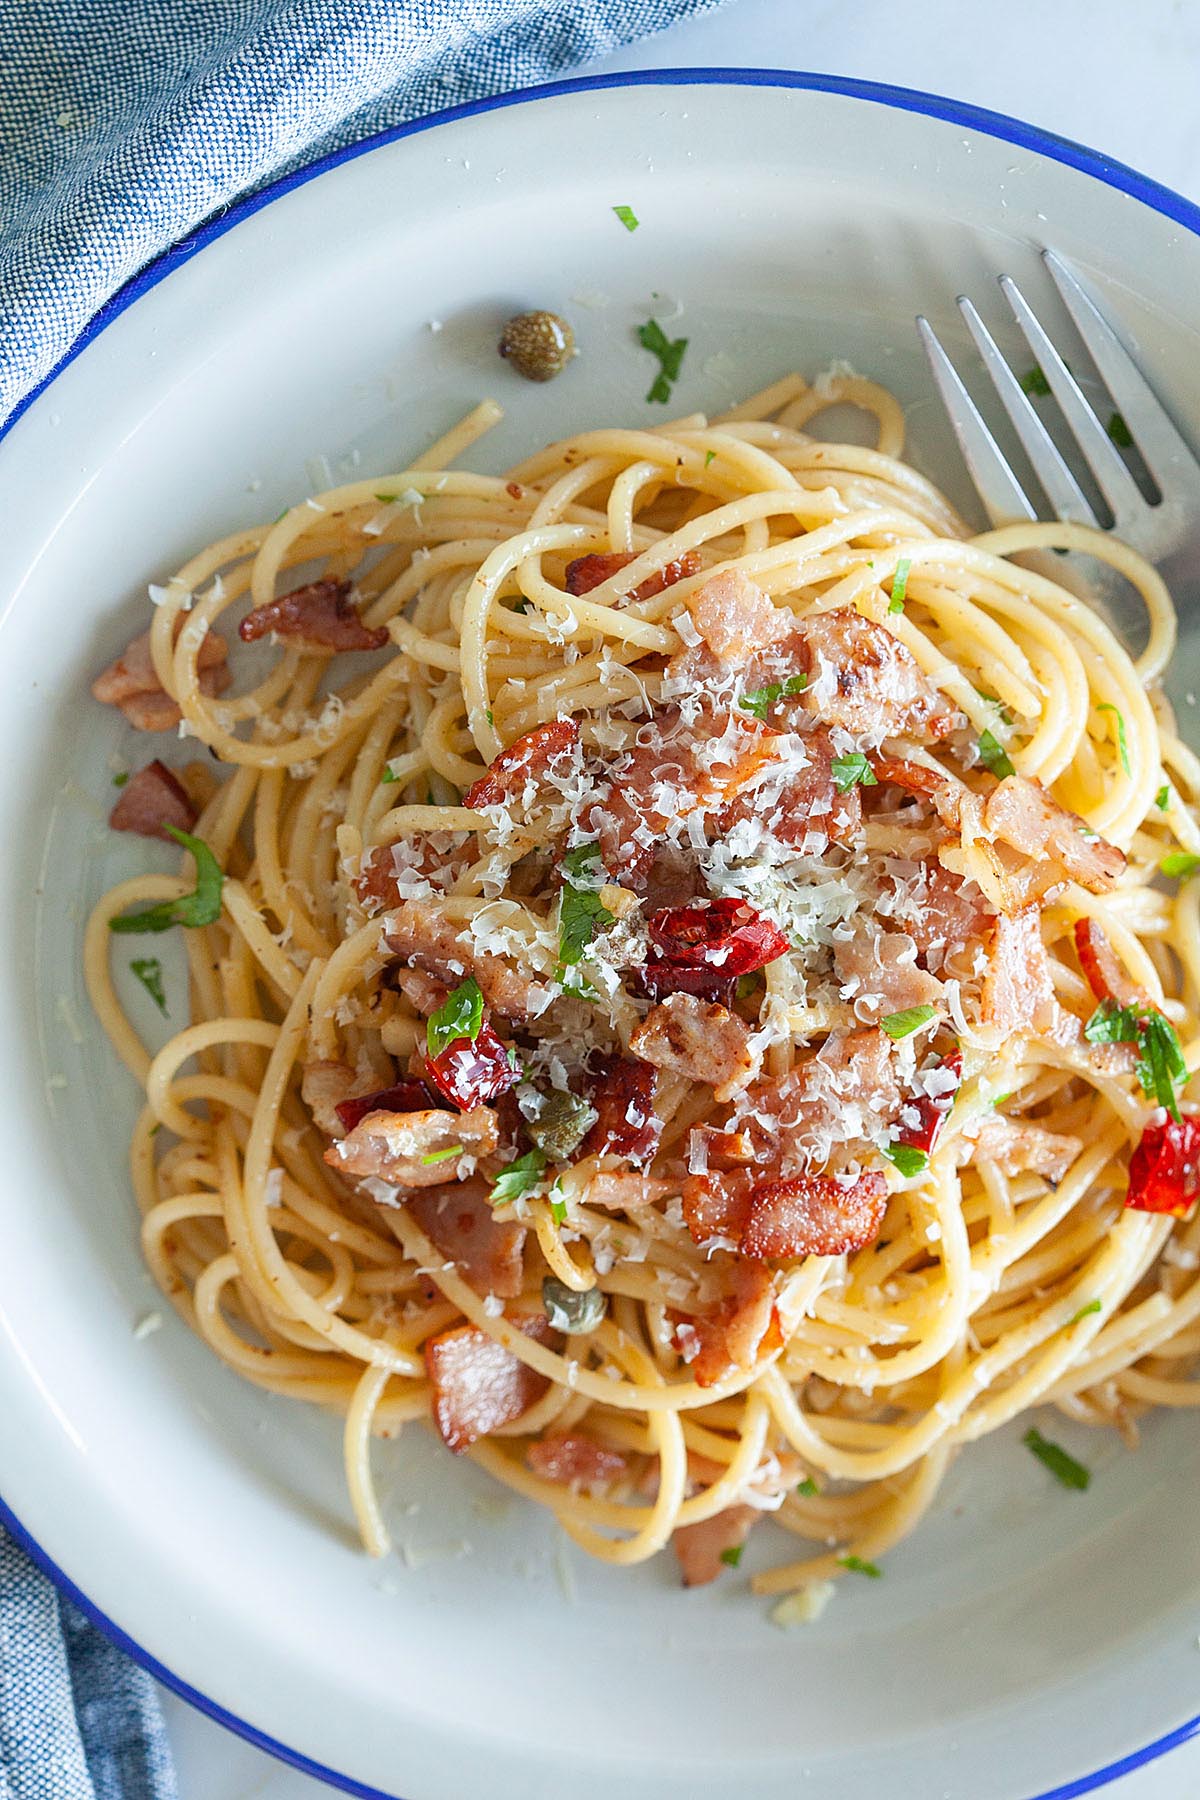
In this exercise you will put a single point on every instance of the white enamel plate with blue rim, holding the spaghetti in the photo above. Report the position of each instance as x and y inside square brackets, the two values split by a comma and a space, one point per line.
[1025, 1637]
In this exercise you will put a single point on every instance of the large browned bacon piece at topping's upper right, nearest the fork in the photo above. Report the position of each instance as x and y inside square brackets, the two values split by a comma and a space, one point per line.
[863, 679]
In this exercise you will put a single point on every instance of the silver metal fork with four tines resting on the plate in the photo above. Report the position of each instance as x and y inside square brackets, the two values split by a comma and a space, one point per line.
[1163, 525]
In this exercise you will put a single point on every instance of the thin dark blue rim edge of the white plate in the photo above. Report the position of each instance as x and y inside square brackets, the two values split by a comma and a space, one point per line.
[1037, 139]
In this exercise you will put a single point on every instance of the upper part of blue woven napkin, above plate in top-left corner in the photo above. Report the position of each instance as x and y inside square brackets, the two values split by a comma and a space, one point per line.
[127, 123]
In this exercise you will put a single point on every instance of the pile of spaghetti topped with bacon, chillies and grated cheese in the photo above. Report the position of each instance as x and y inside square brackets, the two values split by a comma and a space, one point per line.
[694, 980]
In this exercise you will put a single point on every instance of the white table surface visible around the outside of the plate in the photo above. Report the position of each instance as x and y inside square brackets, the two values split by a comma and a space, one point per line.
[1118, 75]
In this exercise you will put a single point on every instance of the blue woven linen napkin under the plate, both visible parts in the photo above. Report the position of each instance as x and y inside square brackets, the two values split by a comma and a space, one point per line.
[125, 125]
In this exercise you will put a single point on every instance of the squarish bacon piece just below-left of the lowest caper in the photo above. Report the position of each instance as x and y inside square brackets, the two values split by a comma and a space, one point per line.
[478, 1383]
